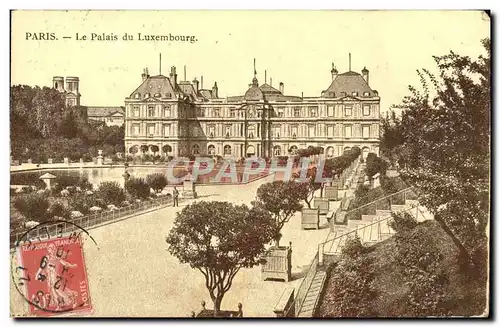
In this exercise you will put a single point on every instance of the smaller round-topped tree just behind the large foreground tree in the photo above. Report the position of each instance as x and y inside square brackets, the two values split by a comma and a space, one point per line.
[282, 200]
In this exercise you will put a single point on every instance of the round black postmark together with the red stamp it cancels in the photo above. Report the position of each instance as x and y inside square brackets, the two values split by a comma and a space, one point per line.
[48, 268]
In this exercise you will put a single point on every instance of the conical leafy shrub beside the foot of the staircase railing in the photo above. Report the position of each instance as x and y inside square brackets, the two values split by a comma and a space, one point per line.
[351, 283]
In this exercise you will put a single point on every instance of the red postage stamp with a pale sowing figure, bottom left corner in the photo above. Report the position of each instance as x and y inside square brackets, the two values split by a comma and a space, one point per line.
[54, 276]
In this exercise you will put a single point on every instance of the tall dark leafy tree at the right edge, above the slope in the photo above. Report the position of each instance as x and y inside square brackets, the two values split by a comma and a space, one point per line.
[446, 146]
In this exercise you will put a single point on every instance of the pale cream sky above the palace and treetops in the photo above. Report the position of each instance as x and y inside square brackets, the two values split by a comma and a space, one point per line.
[295, 47]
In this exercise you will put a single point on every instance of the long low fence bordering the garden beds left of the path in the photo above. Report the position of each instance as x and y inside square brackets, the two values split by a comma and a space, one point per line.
[57, 229]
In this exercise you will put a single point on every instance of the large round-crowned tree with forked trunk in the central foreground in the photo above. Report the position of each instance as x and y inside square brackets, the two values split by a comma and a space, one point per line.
[218, 239]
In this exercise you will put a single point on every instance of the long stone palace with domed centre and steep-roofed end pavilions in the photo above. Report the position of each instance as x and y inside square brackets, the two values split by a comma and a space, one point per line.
[183, 118]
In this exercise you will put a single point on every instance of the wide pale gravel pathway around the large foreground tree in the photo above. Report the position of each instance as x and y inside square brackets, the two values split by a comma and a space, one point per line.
[131, 273]
